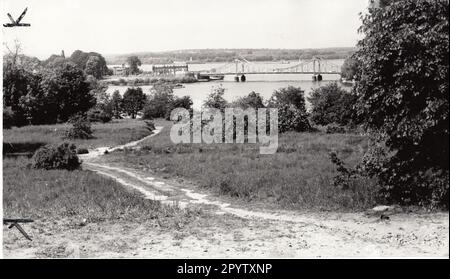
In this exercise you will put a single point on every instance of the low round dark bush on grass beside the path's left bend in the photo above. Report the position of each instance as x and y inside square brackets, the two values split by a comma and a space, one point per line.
[51, 156]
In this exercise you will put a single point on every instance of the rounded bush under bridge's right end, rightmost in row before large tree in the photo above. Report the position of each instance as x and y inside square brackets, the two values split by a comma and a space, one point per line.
[332, 104]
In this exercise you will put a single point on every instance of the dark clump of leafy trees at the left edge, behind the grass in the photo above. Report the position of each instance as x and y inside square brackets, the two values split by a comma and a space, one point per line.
[47, 96]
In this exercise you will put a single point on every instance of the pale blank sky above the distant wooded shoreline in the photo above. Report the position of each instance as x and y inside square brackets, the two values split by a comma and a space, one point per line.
[125, 26]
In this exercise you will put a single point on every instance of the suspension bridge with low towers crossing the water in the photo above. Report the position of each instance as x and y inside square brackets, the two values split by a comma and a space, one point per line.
[241, 67]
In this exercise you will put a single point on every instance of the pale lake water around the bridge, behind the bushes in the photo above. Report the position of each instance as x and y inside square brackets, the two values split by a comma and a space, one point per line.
[263, 84]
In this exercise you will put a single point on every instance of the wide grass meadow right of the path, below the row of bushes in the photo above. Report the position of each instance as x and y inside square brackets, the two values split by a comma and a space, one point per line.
[299, 176]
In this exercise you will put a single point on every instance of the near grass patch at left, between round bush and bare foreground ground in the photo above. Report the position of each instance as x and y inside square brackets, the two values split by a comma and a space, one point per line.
[49, 194]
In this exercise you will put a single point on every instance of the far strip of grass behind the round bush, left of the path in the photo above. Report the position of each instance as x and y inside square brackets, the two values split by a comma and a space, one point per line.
[29, 138]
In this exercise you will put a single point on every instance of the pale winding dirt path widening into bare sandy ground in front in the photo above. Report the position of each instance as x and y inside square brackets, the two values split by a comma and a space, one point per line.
[236, 231]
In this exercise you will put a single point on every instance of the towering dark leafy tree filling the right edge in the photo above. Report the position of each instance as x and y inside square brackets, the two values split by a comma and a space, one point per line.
[403, 97]
